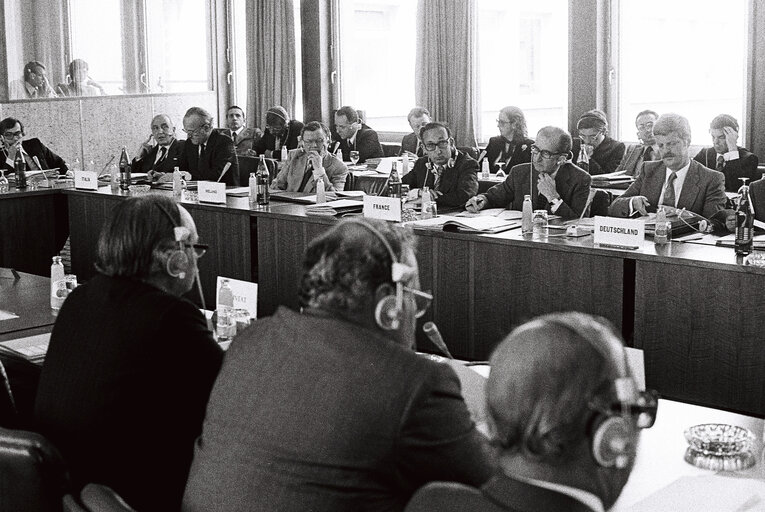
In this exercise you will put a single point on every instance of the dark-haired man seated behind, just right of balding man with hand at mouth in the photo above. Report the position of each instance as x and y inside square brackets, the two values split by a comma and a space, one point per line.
[603, 153]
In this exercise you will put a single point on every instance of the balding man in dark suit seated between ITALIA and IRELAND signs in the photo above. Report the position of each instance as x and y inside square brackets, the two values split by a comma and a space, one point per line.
[161, 159]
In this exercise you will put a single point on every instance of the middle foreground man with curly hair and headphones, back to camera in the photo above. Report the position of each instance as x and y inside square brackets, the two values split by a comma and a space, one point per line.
[331, 410]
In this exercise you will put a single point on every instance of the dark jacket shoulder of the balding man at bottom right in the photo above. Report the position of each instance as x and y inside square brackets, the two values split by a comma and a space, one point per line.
[500, 494]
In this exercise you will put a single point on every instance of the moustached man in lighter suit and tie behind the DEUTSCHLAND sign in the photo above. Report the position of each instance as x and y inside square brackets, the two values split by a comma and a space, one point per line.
[676, 180]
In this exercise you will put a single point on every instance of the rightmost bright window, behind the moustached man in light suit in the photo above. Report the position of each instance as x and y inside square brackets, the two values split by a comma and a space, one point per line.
[686, 57]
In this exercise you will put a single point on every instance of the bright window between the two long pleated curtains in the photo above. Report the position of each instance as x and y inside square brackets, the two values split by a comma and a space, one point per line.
[377, 59]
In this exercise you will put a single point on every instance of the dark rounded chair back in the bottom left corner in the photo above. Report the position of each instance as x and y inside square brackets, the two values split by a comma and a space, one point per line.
[33, 475]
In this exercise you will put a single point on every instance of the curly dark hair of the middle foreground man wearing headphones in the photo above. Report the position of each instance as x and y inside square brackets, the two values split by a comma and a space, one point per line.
[343, 267]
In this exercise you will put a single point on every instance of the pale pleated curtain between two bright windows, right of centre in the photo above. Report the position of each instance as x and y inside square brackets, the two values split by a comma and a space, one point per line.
[446, 82]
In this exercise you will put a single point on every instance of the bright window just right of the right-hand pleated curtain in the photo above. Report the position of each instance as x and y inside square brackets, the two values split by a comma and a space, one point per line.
[522, 61]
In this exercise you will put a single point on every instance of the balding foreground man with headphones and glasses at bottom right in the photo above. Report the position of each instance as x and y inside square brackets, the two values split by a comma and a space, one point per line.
[565, 415]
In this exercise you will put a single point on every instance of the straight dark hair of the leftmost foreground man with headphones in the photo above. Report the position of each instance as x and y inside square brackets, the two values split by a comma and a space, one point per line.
[137, 229]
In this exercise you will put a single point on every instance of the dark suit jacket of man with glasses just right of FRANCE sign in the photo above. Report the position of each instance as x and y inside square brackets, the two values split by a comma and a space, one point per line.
[458, 183]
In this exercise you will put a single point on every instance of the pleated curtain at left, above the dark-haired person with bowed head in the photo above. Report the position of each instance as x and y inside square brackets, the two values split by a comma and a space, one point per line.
[270, 58]
